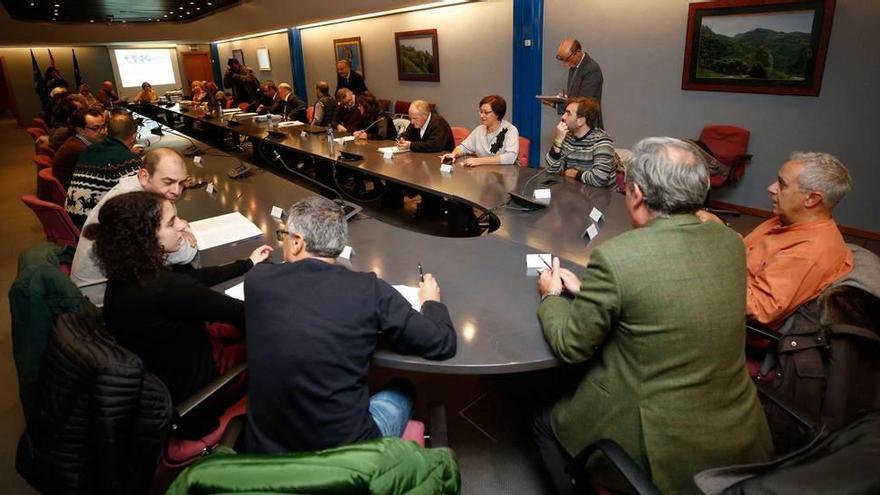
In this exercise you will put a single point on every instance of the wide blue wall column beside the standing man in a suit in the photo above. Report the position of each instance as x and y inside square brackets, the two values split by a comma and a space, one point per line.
[528, 24]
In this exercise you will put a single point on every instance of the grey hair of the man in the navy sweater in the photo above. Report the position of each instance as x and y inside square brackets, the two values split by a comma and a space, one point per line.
[320, 223]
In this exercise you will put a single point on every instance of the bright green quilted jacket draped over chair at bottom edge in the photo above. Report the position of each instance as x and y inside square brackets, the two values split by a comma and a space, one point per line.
[383, 466]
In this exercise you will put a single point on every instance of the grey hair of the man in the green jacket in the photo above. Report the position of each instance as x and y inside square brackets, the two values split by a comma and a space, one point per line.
[671, 173]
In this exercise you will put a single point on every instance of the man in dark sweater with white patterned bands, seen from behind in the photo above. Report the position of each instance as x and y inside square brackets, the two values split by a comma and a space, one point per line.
[101, 166]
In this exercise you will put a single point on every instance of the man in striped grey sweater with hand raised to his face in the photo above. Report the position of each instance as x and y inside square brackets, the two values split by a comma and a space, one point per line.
[581, 150]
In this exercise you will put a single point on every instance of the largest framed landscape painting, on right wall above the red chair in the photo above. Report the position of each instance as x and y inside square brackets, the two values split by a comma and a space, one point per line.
[757, 46]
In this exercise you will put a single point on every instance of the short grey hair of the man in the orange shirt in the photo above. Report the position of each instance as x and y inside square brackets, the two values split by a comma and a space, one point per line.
[823, 173]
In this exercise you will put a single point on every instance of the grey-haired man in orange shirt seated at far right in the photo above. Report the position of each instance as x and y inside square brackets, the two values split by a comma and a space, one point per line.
[795, 255]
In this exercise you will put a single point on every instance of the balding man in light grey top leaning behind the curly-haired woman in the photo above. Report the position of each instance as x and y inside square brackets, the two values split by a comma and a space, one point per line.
[163, 172]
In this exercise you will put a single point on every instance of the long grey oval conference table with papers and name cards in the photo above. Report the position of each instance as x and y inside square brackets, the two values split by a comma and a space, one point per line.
[483, 280]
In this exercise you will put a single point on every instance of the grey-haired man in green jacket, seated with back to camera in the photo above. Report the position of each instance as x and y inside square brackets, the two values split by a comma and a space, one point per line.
[659, 323]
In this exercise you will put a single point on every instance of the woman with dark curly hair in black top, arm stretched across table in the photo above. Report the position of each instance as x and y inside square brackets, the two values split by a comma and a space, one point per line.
[157, 312]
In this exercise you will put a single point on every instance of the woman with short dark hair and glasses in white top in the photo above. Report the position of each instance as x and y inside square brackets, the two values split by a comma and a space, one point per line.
[494, 142]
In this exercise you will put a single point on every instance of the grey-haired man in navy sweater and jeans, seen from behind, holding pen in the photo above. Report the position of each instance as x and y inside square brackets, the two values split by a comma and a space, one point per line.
[312, 328]
